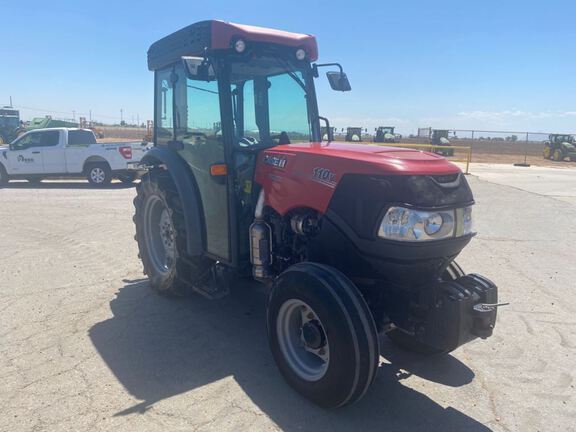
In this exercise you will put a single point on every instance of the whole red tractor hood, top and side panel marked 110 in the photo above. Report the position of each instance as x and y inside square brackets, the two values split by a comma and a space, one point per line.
[307, 174]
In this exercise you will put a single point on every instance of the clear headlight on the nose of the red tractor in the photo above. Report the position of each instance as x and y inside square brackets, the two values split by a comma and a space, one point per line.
[405, 224]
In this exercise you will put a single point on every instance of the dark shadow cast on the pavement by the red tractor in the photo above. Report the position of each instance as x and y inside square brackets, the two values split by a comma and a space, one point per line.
[158, 348]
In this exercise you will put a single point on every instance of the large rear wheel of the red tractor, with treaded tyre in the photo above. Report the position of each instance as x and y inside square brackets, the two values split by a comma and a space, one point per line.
[161, 237]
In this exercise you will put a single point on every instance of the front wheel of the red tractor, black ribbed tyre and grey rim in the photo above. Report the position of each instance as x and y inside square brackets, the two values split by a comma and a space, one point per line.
[322, 335]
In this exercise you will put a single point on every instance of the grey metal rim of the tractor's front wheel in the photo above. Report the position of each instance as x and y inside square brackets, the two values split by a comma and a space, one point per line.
[302, 340]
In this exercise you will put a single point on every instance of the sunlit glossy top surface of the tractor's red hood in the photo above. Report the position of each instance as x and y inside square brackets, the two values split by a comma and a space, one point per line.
[373, 159]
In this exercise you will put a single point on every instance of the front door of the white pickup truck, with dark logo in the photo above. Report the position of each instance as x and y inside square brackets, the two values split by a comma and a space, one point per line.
[25, 155]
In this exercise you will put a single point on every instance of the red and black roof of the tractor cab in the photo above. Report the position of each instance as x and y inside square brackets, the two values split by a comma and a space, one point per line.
[216, 35]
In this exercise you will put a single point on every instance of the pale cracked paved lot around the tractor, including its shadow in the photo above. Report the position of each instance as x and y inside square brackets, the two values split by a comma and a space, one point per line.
[85, 345]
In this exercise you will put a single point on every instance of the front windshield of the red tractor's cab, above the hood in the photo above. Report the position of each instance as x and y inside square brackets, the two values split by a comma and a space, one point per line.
[269, 102]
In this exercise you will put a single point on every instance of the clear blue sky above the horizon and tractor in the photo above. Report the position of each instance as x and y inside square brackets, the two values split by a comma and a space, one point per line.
[504, 65]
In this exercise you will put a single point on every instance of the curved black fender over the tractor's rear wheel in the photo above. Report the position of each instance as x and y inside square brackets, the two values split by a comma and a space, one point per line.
[188, 192]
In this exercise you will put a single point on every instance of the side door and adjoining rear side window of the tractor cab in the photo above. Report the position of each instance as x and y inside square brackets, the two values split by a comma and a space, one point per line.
[192, 108]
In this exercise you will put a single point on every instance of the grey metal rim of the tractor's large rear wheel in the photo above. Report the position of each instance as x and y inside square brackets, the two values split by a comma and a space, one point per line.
[159, 235]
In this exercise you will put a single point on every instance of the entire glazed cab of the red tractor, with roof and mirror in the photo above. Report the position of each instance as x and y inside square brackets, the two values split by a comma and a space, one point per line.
[223, 93]
